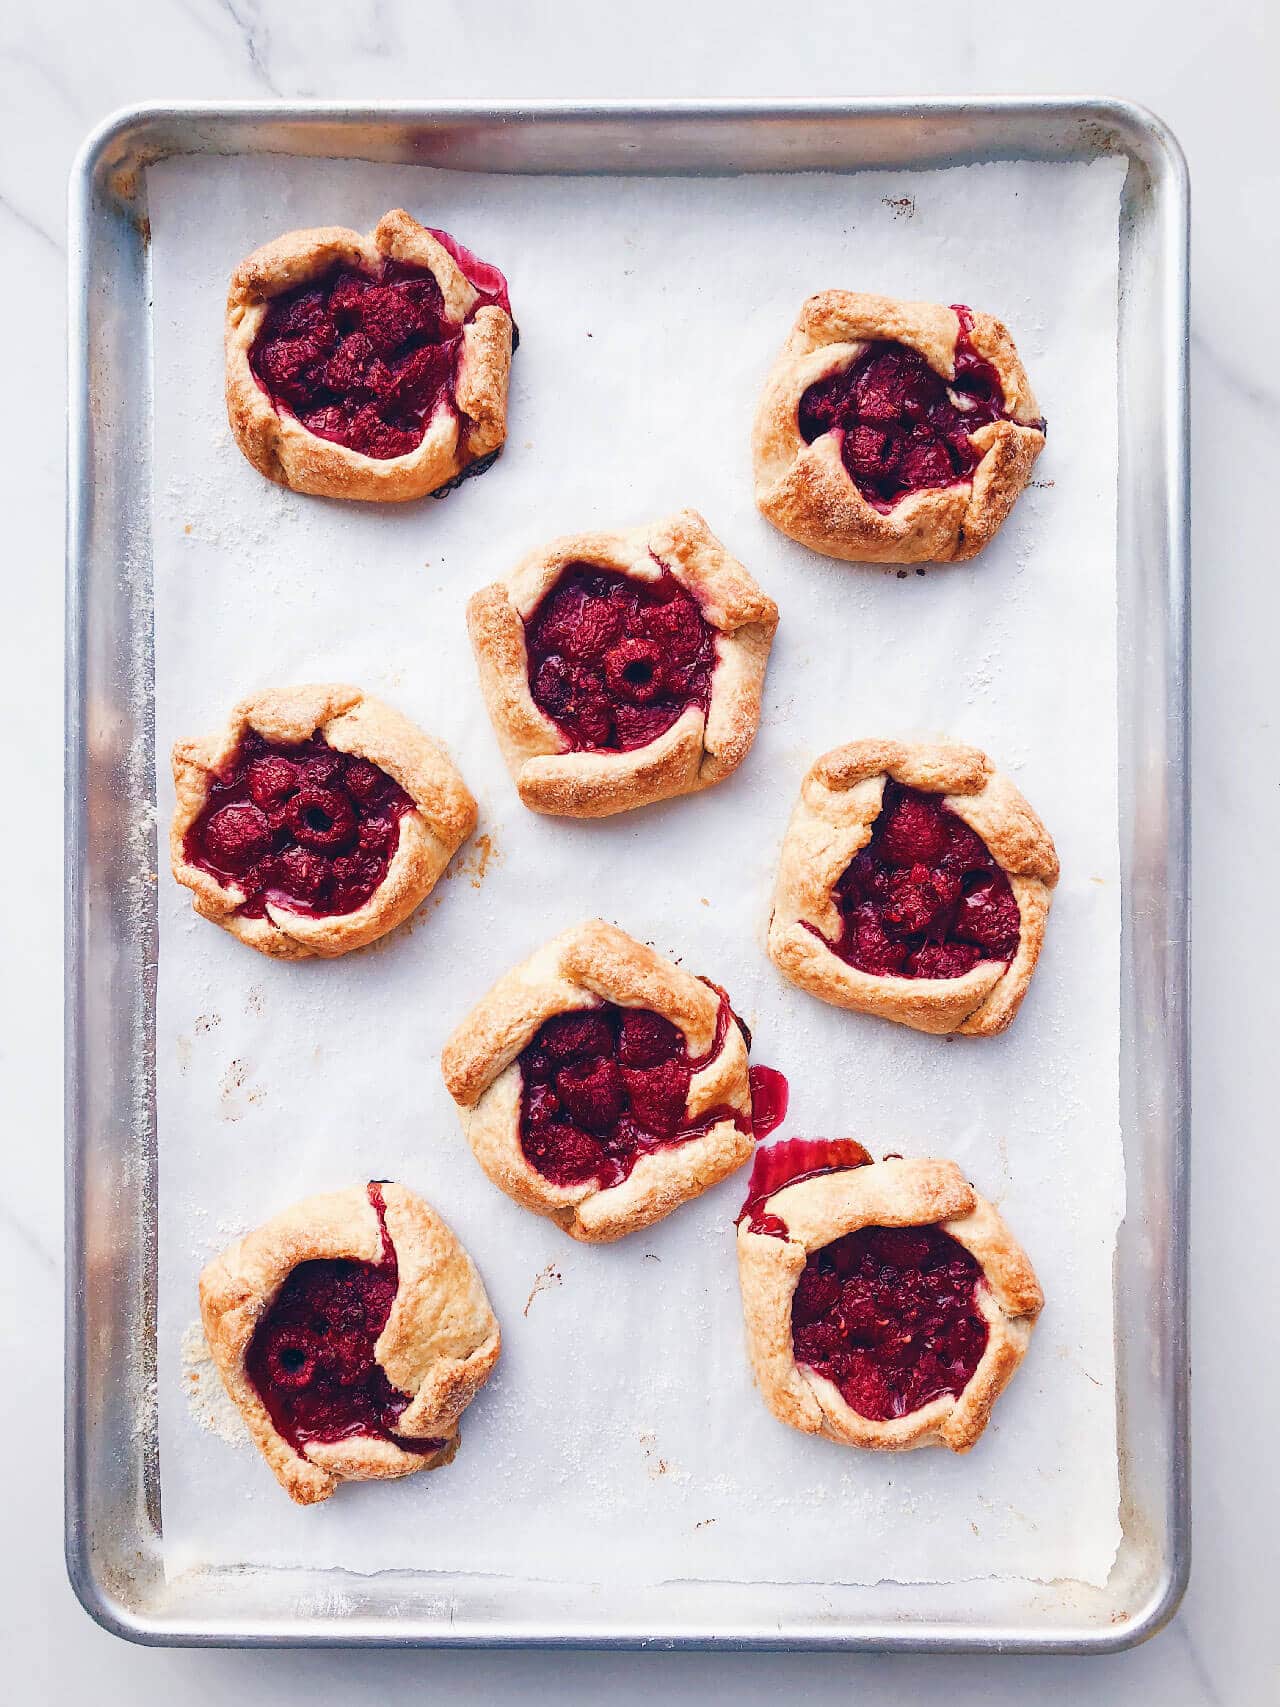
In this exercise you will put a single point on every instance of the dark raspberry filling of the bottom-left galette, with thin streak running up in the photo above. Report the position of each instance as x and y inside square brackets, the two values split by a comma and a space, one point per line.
[311, 1358]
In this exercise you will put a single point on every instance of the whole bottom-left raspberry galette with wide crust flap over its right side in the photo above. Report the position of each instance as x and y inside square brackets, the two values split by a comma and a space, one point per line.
[351, 1332]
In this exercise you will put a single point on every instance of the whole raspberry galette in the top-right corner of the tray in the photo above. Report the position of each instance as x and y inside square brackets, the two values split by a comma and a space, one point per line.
[895, 433]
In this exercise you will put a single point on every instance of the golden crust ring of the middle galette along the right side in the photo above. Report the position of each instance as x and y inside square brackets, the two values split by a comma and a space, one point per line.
[834, 819]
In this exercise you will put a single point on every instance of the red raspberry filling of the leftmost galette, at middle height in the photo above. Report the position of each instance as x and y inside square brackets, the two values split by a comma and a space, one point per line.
[300, 827]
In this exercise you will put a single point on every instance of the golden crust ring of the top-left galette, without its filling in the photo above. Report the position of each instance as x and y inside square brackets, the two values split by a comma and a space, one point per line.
[281, 446]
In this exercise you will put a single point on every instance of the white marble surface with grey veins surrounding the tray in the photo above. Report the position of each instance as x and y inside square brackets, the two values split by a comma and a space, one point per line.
[1211, 73]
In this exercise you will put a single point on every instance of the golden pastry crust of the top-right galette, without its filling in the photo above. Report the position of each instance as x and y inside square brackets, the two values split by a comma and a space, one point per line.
[806, 491]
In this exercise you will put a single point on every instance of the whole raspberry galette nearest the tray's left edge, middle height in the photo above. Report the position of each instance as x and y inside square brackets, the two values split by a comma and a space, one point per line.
[315, 822]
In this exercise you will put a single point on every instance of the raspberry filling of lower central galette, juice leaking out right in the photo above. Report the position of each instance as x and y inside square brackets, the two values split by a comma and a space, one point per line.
[605, 1087]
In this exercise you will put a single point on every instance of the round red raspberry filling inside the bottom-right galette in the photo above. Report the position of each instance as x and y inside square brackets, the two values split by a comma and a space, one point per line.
[890, 1317]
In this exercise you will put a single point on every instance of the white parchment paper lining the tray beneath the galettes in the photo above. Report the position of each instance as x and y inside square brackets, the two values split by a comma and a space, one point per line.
[620, 1438]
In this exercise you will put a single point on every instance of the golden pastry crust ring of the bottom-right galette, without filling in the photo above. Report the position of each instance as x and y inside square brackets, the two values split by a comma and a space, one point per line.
[892, 1194]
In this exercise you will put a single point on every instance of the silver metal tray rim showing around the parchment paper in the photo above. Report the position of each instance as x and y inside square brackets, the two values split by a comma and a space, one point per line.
[113, 1500]
